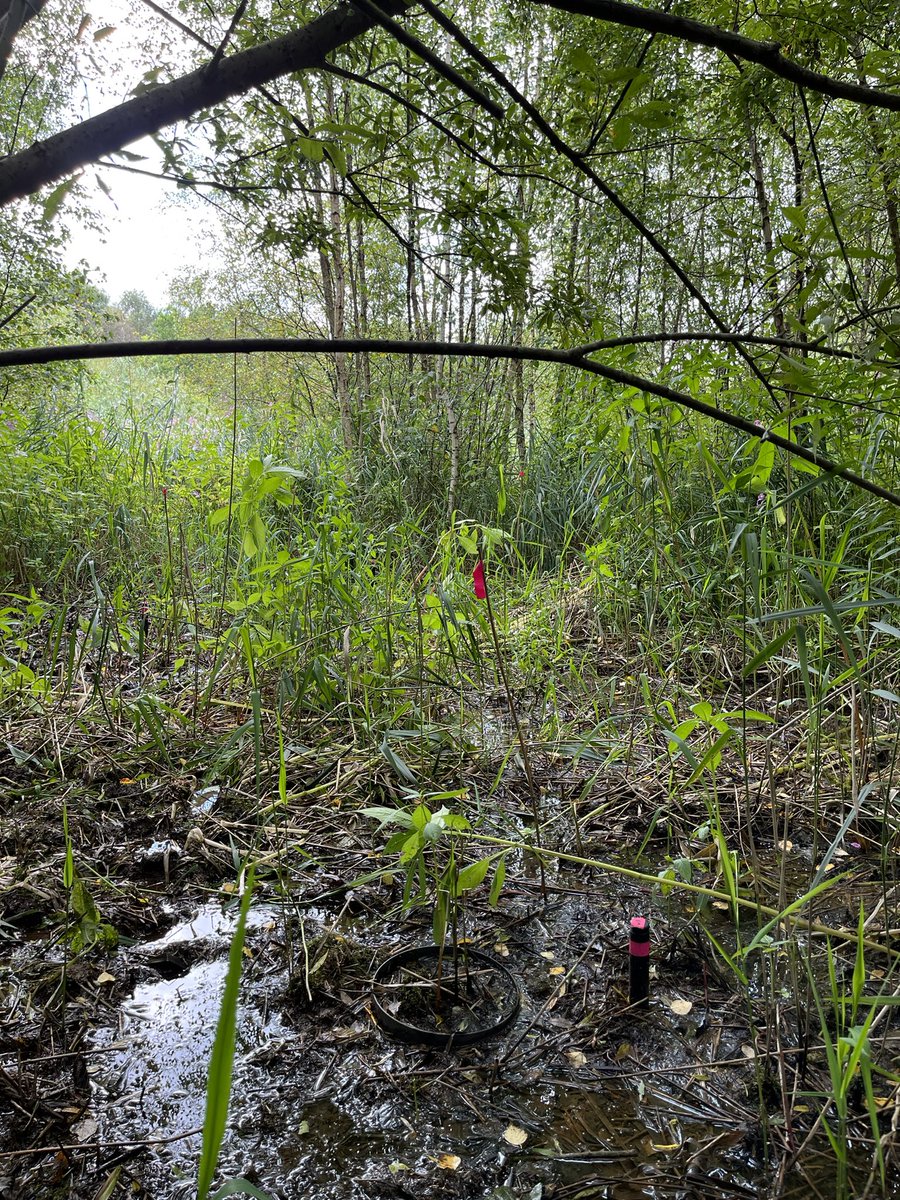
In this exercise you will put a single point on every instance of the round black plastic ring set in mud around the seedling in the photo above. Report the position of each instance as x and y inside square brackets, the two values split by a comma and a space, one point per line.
[503, 986]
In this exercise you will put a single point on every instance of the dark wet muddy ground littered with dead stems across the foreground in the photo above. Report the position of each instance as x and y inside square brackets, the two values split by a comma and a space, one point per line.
[110, 995]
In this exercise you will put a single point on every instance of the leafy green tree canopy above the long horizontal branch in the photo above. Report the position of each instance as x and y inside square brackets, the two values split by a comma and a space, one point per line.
[707, 200]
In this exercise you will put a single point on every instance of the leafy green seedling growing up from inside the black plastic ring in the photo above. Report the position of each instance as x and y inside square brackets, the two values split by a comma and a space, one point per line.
[431, 847]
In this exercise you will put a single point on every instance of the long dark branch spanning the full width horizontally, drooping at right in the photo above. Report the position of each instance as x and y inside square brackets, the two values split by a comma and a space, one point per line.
[575, 358]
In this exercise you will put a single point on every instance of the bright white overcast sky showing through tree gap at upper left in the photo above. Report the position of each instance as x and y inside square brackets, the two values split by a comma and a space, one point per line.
[146, 236]
